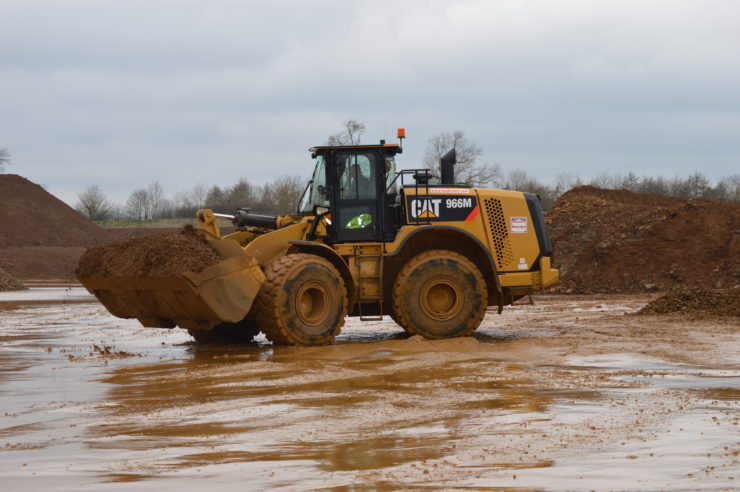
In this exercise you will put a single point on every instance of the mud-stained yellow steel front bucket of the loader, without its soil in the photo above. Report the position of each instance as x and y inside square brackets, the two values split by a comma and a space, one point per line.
[222, 292]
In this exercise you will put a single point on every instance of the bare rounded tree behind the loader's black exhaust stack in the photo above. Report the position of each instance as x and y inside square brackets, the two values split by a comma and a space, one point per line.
[467, 170]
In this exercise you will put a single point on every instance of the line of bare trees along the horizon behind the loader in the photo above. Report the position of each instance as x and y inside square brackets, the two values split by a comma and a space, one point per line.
[281, 195]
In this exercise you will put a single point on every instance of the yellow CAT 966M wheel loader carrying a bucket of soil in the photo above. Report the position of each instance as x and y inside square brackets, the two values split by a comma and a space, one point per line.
[367, 240]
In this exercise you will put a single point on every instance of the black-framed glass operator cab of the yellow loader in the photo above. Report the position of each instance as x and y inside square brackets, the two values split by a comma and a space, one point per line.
[358, 185]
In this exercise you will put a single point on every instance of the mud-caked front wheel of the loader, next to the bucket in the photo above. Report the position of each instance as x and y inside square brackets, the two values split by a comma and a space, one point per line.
[302, 302]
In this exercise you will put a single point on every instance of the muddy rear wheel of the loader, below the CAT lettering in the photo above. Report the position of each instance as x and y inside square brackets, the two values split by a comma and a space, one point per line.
[440, 294]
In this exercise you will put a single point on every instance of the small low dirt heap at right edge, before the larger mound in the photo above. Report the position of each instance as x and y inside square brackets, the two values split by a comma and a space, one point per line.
[696, 301]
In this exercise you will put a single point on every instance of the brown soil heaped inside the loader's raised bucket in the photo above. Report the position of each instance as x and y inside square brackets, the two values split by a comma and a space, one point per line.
[155, 255]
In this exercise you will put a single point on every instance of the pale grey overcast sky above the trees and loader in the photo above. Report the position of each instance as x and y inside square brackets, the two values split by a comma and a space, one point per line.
[124, 93]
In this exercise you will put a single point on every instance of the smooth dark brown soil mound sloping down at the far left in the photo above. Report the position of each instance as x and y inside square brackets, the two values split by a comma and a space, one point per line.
[31, 216]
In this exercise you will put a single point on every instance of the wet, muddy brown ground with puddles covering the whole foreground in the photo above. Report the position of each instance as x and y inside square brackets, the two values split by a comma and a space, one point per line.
[570, 393]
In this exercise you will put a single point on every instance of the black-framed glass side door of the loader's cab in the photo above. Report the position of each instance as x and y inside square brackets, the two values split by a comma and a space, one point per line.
[356, 216]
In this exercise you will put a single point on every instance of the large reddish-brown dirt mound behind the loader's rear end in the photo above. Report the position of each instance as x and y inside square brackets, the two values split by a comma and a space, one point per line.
[619, 241]
